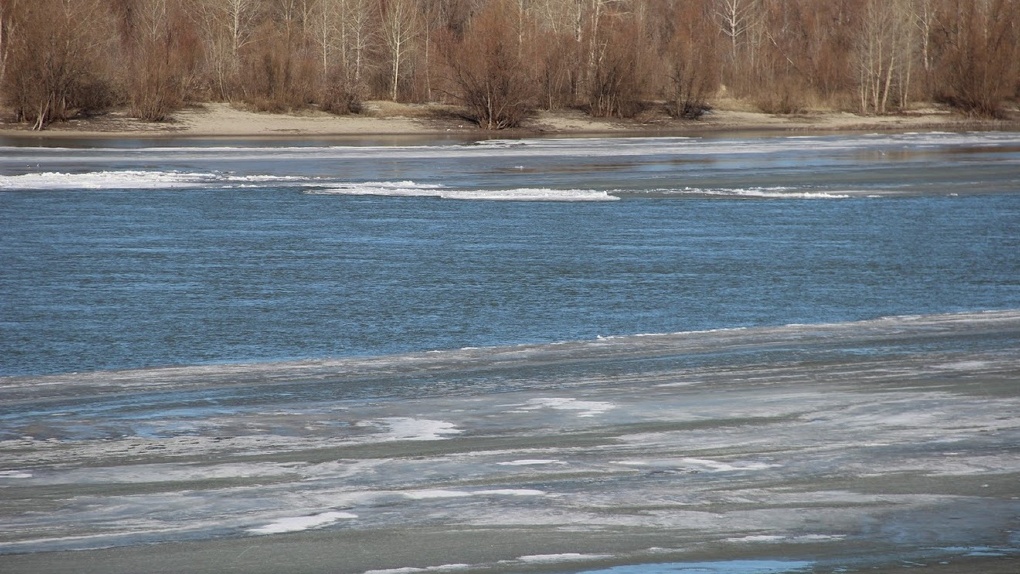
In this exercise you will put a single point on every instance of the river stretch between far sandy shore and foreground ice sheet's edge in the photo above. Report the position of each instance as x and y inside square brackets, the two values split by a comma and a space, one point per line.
[120, 255]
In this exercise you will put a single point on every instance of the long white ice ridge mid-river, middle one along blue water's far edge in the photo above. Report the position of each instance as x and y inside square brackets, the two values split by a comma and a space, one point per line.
[412, 189]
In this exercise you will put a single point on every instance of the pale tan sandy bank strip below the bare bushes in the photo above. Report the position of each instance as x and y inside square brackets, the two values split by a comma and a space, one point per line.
[215, 121]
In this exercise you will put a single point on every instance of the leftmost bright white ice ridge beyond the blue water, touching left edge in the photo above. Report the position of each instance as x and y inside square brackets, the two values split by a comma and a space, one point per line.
[133, 180]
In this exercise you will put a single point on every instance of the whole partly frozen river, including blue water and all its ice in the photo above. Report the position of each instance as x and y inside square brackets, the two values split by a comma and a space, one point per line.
[734, 355]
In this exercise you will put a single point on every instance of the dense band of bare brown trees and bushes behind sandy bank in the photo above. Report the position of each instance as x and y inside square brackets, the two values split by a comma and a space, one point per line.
[501, 60]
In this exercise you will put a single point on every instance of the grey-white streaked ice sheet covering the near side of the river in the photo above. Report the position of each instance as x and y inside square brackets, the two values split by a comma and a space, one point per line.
[837, 446]
